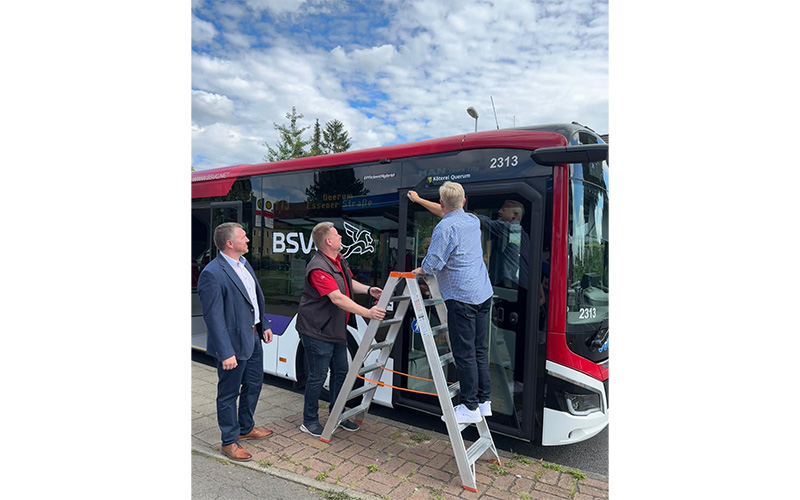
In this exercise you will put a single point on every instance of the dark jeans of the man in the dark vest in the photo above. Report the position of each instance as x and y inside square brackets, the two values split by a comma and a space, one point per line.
[319, 356]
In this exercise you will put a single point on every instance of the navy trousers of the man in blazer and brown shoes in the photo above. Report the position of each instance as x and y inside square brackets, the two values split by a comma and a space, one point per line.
[242, 383]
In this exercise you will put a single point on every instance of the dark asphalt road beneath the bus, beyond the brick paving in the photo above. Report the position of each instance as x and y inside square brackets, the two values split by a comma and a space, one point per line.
[588, 456]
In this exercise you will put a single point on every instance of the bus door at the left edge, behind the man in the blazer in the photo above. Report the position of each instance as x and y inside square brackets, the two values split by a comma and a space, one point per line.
[205, 217]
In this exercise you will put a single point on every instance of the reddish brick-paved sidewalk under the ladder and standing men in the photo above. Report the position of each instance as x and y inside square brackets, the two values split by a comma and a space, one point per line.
[383, 460]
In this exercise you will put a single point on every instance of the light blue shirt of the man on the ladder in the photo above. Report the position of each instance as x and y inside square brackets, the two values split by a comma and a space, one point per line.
[455, 257]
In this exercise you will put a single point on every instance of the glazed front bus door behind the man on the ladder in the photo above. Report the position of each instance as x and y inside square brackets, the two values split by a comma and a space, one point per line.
[511, 216]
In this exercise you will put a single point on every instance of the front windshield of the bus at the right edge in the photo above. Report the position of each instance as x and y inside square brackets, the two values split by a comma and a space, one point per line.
[587, 282]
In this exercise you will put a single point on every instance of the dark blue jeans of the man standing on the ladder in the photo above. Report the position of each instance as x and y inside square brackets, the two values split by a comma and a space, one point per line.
[468, 324]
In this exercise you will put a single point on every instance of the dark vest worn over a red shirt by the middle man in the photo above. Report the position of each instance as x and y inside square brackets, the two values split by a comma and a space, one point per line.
[317, 316]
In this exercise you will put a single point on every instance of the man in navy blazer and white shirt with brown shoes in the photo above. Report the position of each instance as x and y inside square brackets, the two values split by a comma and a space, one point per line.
[233, 309]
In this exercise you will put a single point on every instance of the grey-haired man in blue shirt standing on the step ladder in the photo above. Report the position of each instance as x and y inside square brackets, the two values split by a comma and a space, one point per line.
[455, 258]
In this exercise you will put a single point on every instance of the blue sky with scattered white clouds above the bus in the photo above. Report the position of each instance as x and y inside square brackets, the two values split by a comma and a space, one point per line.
[392, 71]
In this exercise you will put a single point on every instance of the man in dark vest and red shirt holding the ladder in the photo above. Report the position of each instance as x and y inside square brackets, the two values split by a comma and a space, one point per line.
[326, 307]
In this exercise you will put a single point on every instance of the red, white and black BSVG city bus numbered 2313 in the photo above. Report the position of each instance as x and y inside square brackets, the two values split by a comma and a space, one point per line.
[549, 327]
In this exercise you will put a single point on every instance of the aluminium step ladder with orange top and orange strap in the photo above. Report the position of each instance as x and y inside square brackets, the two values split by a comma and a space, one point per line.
[465, 457]
